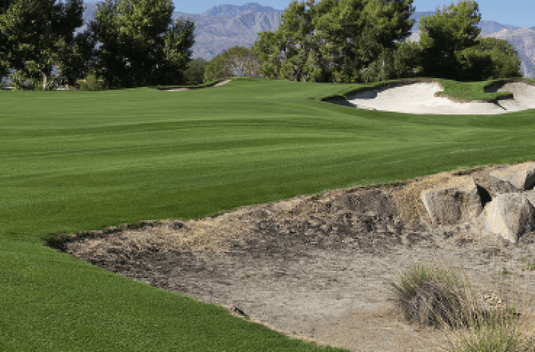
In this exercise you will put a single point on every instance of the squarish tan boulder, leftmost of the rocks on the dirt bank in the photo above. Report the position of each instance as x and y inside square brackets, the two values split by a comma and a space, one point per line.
[453, 204]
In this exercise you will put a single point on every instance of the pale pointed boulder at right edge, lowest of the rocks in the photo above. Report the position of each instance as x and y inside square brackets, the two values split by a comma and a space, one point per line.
[510, 215]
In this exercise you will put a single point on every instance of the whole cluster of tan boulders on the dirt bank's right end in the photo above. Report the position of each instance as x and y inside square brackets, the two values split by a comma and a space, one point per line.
[497, 199]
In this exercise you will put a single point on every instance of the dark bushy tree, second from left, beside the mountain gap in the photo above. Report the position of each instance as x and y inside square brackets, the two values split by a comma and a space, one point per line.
[139, 44]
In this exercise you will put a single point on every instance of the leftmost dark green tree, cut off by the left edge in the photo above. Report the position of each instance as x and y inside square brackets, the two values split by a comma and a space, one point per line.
[36, 37]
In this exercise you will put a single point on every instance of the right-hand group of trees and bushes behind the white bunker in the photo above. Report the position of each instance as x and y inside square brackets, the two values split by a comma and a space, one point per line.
[358, 41]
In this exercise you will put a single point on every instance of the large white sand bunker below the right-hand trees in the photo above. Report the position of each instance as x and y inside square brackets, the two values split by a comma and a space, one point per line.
[419, 98]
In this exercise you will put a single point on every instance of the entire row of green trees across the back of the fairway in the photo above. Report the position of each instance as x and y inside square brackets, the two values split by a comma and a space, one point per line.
[132, 43]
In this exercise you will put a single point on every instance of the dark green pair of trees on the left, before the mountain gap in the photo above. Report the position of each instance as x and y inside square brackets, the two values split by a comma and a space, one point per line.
[129, 43]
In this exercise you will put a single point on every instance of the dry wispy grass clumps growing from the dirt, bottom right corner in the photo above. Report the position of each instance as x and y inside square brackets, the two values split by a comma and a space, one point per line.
[443, 298]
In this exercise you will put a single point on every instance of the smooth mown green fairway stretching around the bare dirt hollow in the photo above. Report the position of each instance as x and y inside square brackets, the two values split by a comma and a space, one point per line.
[78, 161]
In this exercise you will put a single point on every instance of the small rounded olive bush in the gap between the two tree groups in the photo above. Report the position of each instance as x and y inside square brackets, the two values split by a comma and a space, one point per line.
[237, 61]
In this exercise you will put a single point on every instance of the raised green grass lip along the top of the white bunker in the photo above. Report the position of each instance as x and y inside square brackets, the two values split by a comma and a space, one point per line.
[457, 91]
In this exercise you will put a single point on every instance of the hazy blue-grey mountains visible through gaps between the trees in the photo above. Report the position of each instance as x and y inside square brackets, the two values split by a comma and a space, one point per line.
[222, 27]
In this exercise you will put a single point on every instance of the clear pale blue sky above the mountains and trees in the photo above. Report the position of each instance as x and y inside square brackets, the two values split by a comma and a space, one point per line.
[512, 12]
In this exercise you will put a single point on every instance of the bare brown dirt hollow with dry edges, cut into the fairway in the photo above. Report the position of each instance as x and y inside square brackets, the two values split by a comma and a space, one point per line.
[320, 267]
